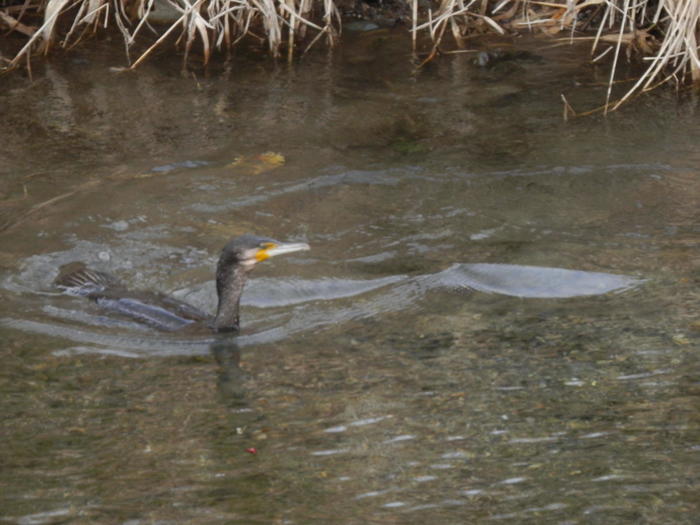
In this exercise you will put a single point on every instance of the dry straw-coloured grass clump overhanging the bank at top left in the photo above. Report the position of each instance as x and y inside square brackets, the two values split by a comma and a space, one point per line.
[213, 24]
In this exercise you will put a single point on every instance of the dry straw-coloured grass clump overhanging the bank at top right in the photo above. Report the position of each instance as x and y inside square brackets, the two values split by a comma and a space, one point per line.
[664, 32]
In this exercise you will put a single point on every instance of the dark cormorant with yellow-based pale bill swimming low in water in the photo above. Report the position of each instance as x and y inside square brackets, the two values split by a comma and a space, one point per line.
[237, 258]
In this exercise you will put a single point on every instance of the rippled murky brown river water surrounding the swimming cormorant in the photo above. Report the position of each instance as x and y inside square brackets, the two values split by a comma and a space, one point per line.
[497, 321]
